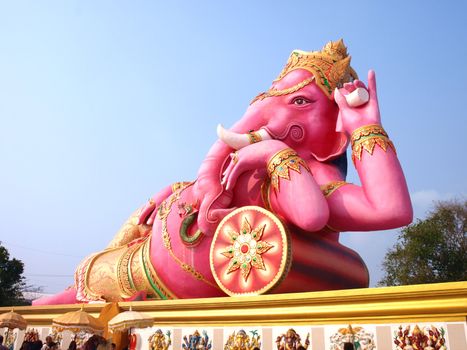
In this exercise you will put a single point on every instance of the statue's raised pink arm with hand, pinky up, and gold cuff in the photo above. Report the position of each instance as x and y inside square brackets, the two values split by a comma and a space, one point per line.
[382, 201]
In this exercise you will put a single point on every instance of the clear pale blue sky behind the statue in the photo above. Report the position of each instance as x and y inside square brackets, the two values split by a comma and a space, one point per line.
[102, 103]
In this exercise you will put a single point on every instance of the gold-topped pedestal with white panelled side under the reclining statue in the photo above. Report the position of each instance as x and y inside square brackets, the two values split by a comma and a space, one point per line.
[372, 318]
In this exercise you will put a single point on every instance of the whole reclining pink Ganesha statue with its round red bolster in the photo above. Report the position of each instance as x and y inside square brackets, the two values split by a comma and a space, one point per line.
[265, 212]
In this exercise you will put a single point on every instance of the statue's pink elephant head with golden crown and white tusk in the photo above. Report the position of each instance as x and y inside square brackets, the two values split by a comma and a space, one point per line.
[299, 108]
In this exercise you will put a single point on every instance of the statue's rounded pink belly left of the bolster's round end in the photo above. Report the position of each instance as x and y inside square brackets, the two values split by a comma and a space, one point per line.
[182, 264]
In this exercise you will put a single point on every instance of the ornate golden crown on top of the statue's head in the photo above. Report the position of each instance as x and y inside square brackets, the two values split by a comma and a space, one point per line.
[330, 66]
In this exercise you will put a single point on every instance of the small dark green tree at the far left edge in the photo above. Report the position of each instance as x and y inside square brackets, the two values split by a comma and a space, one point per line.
[11, 279]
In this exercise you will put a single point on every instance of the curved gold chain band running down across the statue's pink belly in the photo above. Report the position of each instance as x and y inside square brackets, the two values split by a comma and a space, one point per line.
[163, 213]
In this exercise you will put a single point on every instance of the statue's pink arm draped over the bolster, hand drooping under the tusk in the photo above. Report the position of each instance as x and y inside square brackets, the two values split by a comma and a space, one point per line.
[290, 190]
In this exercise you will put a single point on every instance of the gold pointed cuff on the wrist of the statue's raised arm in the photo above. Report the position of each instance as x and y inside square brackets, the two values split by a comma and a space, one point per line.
[366, 138]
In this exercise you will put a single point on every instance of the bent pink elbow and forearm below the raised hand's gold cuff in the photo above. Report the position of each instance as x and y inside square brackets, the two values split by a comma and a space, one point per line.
[381, 202]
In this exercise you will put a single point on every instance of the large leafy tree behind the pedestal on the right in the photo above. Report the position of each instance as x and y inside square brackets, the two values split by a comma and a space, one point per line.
[431, 250]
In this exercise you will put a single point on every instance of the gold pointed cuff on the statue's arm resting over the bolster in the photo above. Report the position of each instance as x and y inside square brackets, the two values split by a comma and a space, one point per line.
[281, 162]
